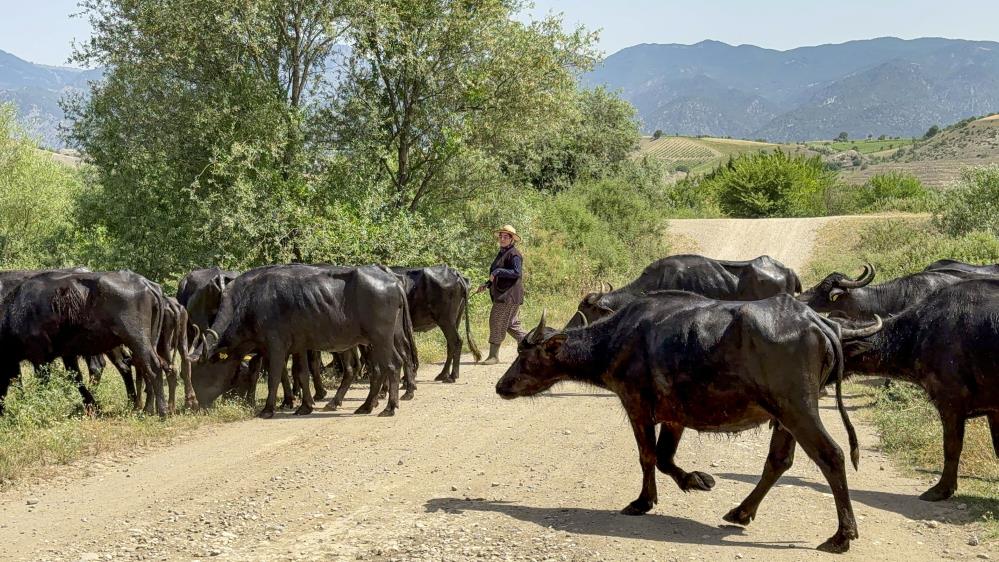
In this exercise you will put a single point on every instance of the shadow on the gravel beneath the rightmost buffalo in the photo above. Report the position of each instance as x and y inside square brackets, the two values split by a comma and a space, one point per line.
[908, 505]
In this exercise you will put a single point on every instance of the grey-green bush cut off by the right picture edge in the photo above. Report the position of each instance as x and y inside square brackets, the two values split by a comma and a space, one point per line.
[973, 205]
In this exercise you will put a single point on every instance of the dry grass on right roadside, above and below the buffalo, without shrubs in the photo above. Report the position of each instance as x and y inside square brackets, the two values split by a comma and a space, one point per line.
[907, 423]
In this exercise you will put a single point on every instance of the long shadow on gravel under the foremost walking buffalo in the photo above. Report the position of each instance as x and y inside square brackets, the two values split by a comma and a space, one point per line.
[607, 523]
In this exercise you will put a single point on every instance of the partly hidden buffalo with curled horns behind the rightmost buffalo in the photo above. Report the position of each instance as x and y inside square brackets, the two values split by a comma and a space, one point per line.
[856, 298]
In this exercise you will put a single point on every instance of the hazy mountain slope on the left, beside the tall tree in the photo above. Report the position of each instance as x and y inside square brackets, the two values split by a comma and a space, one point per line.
[36, 89]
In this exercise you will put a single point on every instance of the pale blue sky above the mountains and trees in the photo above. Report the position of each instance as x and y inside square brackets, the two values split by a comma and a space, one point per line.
[41, 31]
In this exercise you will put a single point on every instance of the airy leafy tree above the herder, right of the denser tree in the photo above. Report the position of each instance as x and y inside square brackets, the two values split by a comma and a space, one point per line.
[438, 90]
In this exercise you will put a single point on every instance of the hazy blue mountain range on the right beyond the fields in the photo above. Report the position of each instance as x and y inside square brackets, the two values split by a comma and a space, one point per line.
[879, 86]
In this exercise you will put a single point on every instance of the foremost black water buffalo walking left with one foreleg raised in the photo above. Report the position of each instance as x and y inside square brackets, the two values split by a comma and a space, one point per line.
[684, 360]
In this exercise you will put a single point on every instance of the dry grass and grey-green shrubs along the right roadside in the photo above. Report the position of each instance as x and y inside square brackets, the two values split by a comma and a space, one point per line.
[962, 228]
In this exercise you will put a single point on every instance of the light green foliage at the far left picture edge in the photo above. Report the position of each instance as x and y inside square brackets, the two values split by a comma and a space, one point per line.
[36, 194]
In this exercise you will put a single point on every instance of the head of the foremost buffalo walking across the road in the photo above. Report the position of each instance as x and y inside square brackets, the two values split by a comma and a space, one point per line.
[536, 368]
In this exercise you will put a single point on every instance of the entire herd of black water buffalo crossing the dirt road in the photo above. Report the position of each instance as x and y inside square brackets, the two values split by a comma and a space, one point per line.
[719, 346]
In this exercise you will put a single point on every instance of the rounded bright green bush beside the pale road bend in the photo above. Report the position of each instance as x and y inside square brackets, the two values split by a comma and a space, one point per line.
[771, 184]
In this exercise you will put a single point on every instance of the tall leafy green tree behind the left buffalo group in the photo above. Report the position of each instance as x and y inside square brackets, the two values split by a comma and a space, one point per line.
[197, 132]
